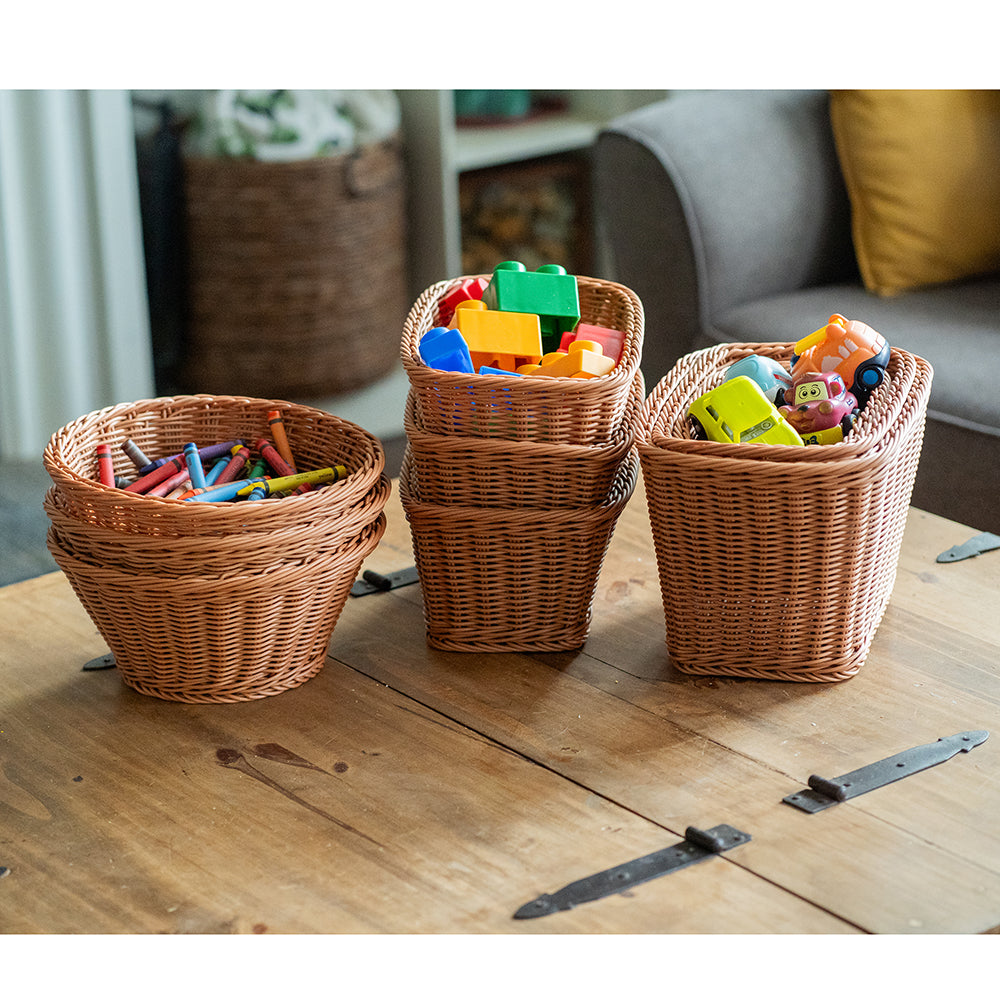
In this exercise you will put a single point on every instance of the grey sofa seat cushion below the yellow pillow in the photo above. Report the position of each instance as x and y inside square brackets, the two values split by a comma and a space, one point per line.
[955, 327]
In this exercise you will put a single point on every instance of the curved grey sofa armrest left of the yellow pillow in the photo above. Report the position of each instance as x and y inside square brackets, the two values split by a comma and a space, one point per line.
[709, 199]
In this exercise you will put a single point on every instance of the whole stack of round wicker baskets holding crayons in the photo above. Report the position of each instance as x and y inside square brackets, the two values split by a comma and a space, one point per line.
[213, 602]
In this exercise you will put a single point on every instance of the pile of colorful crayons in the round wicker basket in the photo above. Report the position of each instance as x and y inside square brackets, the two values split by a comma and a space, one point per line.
[225, 471]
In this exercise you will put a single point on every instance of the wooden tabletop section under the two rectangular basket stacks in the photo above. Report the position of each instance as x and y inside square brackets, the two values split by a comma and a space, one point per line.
[921, 855]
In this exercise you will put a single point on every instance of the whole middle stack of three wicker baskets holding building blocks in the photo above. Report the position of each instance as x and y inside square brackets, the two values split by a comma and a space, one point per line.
[512, 486]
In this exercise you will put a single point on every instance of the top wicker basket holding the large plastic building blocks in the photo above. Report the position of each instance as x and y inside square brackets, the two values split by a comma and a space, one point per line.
[557, 410]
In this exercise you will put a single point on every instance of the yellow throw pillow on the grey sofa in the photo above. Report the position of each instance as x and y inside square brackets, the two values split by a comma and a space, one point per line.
[922, 169]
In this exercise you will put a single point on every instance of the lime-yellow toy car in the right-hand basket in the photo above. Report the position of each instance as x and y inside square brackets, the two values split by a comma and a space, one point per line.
[738, 412]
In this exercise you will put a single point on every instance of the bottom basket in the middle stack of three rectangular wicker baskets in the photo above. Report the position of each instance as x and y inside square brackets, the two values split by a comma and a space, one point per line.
[497, 579]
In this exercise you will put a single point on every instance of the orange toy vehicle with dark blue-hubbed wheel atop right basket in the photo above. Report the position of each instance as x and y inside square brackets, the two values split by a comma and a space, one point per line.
[849, 347]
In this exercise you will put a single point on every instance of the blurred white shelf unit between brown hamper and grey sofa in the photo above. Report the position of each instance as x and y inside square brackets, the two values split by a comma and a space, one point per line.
[439, 151]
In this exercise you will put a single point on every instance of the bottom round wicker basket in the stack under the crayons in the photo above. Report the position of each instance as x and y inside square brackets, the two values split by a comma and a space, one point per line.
[221, 638]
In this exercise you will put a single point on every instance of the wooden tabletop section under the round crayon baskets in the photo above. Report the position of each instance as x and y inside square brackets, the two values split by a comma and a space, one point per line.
[339, 807]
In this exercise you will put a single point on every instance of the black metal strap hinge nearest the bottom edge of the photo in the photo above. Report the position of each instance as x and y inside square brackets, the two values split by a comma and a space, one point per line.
[696, 846]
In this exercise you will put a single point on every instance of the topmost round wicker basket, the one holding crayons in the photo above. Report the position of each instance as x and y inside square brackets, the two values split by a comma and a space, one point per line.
[163, 426]
